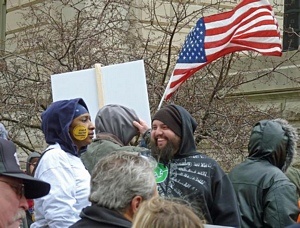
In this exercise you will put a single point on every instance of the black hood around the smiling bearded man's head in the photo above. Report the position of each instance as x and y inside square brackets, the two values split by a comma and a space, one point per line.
[189, 125]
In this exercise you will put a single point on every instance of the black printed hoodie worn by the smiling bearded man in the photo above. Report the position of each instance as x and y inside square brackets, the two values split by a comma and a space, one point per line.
[198, 179]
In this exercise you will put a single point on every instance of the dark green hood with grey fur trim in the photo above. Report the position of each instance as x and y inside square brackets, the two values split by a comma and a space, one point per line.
[273, 140]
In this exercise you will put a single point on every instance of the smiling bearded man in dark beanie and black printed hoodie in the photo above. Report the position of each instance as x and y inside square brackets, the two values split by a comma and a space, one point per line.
[183, 172]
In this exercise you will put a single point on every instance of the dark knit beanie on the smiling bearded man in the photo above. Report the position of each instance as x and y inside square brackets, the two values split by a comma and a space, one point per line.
[170, 116]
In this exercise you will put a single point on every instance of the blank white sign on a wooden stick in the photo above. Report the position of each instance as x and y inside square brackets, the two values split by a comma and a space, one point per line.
[123, 84]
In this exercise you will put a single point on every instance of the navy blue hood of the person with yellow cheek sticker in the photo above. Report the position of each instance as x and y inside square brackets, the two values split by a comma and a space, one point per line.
[56, 120]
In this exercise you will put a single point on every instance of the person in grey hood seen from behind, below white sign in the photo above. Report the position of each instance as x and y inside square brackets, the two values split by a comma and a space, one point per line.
[115, 130]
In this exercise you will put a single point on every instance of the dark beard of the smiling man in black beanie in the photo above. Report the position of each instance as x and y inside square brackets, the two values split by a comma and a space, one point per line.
[166, 153]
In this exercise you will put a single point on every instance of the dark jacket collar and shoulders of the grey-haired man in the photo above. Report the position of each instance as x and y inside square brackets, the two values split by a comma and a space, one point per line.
[95, 216]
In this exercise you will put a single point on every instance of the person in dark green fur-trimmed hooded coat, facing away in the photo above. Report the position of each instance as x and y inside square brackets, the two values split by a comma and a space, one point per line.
[267, 198]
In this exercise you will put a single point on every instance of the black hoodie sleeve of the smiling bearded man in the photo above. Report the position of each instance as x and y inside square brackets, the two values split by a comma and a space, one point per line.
[225, 210]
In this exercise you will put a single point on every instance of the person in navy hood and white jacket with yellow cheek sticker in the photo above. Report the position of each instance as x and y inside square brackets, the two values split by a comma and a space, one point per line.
[68, 130]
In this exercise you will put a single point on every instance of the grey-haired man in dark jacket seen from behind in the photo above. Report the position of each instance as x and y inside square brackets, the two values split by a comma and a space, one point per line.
[120, 182]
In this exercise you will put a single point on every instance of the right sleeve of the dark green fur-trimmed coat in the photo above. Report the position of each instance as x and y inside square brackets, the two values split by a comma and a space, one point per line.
[281, 205]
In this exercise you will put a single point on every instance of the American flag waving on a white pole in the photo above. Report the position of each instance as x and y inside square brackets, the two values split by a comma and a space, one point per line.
[251, 25]
